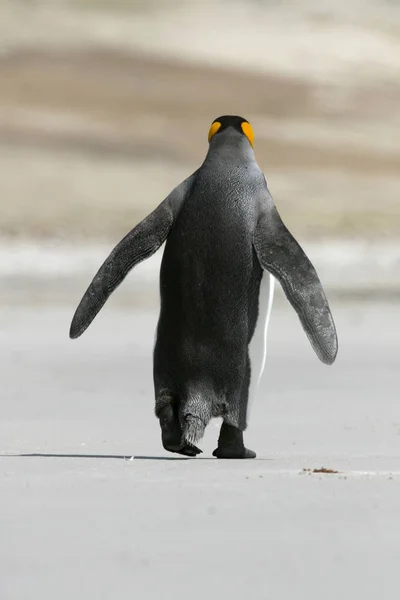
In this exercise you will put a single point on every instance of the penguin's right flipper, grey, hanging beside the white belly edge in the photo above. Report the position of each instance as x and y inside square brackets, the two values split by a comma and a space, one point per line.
[280, 254]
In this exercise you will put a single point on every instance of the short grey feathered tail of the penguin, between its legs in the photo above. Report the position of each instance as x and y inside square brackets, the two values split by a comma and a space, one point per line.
[196, 413]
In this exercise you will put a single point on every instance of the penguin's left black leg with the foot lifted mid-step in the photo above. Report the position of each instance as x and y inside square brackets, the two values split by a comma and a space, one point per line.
[167, 411]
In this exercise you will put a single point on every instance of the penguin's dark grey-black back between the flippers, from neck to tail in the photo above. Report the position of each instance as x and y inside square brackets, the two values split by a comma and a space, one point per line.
[209, 285]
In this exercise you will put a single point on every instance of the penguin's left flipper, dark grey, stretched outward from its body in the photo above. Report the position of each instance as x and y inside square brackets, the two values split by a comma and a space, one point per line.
[139, 244]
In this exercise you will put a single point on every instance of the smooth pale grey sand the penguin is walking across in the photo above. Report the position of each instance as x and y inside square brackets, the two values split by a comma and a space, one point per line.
[80, 519]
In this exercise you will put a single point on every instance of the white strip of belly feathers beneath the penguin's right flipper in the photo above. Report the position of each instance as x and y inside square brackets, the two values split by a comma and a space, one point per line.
[258, 343]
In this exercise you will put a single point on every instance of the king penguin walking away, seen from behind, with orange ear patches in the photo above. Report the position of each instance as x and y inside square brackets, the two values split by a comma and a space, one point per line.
[225, 246]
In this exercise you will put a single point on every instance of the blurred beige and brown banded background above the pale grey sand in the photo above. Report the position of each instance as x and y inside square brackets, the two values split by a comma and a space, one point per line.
[105, 106]
